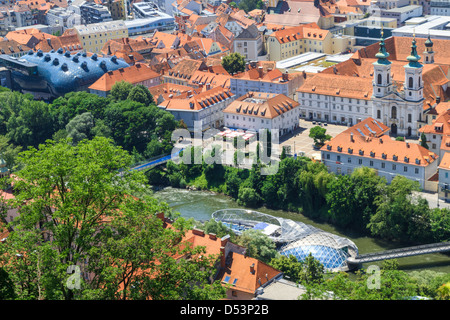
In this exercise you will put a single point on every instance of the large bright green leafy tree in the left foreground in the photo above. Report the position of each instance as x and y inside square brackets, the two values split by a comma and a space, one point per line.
[86, 215]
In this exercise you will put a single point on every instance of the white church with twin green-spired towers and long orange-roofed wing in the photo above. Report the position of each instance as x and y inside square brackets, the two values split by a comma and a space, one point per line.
[391, 92]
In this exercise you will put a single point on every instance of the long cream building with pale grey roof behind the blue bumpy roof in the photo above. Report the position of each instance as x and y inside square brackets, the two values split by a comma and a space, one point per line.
[94, 36]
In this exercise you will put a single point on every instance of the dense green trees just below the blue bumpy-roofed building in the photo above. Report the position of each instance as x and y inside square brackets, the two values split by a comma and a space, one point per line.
[128, 115]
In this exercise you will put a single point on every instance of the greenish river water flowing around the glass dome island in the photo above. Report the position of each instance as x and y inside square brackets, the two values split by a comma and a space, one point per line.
[201, 204]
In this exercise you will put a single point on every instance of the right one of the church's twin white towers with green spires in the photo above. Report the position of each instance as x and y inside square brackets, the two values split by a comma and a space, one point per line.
[413, 85]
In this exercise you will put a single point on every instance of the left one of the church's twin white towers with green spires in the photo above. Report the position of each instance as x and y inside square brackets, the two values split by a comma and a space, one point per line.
[382, 80]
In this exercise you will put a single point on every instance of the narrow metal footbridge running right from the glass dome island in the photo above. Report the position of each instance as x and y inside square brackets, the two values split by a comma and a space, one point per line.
[400, 253]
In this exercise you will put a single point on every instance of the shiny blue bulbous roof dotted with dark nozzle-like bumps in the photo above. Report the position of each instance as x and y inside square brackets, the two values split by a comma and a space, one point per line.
[65, 72]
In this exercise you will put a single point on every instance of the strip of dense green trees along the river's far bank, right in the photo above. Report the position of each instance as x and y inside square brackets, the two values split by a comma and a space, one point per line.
[363, 201]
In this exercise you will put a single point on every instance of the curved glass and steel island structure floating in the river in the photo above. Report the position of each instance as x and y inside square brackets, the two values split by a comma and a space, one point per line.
[292, 237]
